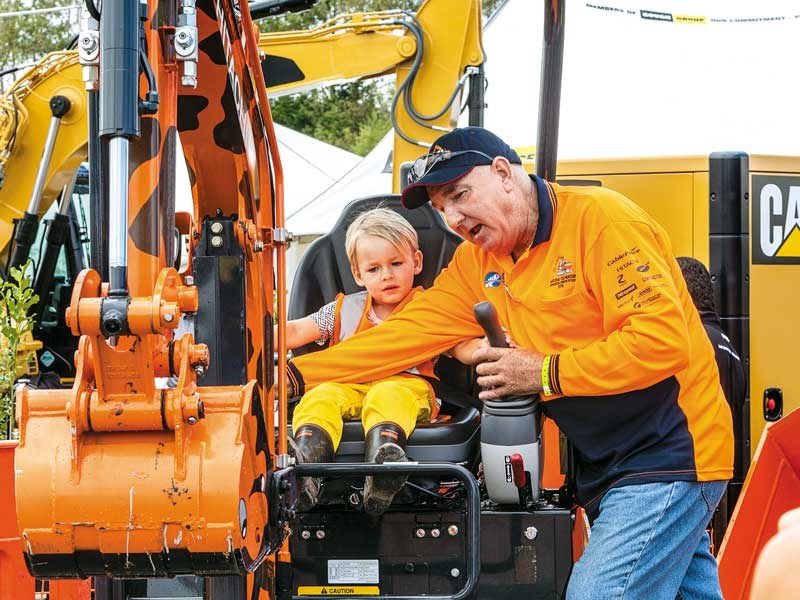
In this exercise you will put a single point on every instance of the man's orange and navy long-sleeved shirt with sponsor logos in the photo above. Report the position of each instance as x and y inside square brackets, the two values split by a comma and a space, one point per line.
[633, 378]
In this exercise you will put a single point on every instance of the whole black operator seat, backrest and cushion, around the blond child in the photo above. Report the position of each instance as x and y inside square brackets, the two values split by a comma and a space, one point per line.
[324, 271]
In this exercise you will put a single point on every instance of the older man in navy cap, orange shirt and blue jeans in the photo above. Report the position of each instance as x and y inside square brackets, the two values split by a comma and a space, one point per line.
[586, 284]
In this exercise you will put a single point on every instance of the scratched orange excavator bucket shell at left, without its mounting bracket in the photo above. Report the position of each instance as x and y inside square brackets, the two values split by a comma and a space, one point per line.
[118, 503]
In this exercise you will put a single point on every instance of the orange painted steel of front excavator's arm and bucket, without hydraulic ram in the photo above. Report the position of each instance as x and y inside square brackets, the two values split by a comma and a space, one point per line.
[121, 474]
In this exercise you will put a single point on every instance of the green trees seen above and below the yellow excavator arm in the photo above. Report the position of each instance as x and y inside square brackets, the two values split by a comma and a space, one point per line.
[353, 116]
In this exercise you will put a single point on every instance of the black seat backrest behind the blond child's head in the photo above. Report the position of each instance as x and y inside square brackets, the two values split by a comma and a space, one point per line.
[324, 270]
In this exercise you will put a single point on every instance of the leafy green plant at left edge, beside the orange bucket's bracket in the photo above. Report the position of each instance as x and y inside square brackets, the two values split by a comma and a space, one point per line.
[16, 300]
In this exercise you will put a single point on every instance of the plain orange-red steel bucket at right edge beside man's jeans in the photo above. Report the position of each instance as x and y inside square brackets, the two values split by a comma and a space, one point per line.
[772, 487]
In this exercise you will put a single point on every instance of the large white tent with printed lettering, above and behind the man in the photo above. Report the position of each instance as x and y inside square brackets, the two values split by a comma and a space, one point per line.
[665, 77]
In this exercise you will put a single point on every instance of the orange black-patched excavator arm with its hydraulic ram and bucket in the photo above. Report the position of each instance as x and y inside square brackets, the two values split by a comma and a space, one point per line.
[160, 459]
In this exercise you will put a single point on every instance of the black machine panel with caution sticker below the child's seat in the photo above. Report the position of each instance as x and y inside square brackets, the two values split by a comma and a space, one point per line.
[523, 554]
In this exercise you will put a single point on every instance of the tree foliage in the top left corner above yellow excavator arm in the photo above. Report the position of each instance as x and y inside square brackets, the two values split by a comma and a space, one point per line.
[26, 39]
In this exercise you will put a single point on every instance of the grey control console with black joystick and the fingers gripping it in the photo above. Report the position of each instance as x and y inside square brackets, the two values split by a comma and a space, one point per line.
[510, 424]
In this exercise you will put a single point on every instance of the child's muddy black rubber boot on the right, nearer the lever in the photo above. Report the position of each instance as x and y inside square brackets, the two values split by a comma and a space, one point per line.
[385, 442]
